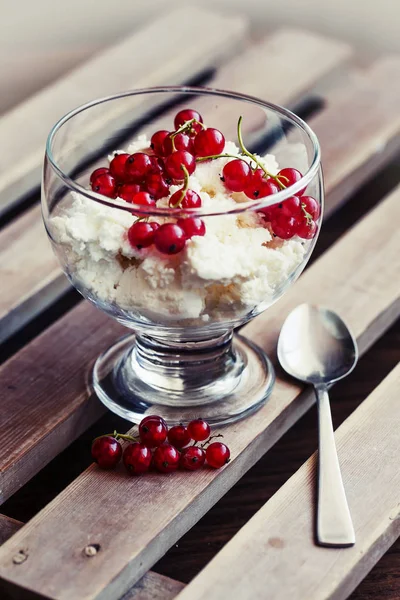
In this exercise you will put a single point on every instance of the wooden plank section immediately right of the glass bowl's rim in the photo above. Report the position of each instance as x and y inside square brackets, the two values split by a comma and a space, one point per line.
[359, 129]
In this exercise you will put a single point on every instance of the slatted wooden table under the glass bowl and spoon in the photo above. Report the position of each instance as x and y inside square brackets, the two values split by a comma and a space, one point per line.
[263, 523]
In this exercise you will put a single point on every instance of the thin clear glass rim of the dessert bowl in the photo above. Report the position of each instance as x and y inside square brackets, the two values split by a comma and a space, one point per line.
[164, 212]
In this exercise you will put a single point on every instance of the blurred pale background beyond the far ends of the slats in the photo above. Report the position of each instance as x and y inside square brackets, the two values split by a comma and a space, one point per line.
[42, 39]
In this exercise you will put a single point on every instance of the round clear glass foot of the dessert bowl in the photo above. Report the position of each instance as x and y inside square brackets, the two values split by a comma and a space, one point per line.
[132, 392]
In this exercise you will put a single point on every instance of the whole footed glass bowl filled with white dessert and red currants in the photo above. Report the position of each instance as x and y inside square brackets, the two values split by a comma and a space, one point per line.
[199, 219]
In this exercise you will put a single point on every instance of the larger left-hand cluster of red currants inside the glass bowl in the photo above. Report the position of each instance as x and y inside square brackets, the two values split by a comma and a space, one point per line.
[143, 179]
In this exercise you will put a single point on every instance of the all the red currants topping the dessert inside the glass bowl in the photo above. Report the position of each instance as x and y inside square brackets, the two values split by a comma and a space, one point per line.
[143, 178]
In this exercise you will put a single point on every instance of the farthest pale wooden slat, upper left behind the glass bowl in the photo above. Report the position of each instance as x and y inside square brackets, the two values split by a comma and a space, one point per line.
[119, 68]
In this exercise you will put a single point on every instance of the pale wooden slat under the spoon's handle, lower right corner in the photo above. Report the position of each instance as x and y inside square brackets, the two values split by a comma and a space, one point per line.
[275, 550]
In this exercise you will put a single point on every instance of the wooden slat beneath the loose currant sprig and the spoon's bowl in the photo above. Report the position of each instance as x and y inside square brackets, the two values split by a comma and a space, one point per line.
[355, 277]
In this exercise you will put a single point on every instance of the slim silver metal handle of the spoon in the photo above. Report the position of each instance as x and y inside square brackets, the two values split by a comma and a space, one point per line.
[334, 524]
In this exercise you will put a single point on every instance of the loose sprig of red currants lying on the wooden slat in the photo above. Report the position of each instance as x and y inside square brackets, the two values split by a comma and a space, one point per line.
[164, 449]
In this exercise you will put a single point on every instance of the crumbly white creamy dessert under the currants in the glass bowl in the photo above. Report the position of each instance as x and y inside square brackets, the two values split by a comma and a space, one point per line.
[226, 273]
